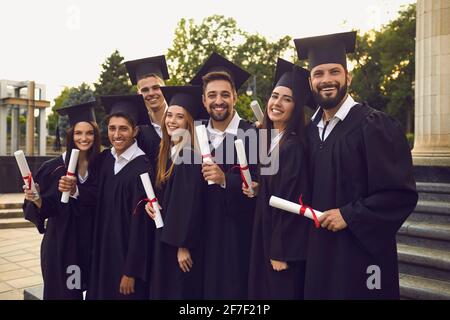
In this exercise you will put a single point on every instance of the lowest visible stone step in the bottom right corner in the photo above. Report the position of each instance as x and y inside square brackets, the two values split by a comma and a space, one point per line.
[420, 288]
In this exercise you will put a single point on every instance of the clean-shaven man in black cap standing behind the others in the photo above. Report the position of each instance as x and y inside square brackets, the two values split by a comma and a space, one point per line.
[148, 75]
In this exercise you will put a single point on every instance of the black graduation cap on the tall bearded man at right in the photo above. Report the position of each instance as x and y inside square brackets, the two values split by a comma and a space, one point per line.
[331, 48]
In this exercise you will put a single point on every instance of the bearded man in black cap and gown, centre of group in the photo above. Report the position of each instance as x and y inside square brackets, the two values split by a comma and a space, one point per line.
[229, 213]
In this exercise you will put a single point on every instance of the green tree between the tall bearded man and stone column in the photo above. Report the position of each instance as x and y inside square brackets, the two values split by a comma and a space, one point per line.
[385, 66]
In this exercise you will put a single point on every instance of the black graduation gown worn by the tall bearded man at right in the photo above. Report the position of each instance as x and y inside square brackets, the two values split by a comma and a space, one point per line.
[364, 168]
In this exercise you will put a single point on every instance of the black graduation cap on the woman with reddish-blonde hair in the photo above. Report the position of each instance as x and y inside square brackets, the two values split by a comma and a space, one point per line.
[188, 97]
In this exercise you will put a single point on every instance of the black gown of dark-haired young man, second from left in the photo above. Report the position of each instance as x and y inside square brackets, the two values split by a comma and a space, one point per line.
[123, 237]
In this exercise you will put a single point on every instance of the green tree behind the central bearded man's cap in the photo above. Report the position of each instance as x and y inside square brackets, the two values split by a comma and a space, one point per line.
[194, 43]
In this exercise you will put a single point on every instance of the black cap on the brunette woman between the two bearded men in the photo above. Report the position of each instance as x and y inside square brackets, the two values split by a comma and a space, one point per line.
[295, 78]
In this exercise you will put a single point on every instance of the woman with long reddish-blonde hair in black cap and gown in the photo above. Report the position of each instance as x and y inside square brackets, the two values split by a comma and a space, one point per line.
[177, 272]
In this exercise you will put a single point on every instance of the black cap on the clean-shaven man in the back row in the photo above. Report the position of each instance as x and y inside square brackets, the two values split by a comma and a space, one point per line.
[137, 69]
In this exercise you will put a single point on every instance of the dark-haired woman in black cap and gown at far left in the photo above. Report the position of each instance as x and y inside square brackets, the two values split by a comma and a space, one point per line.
[66, 244]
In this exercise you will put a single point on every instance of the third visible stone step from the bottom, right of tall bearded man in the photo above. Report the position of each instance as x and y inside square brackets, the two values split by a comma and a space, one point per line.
[426, 230]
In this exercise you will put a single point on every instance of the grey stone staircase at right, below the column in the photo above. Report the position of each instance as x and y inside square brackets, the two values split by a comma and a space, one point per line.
[424, 245]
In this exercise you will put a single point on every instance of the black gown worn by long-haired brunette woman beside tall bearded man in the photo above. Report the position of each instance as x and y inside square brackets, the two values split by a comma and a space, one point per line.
[279, 235]
